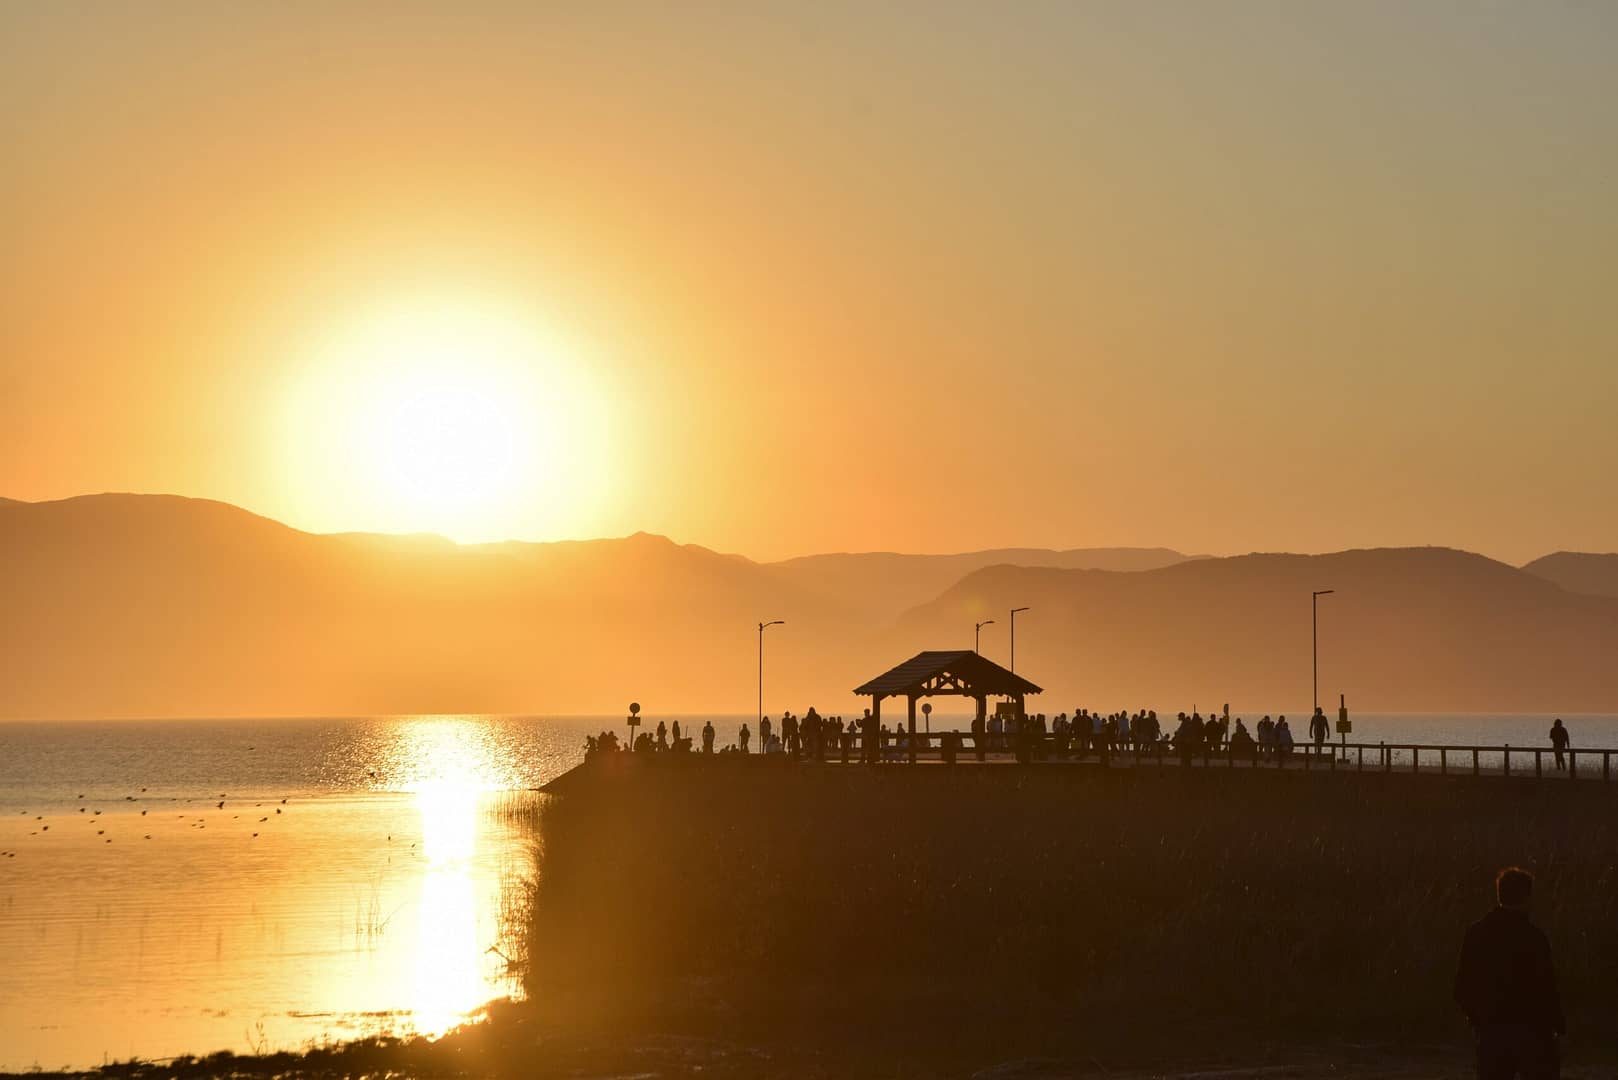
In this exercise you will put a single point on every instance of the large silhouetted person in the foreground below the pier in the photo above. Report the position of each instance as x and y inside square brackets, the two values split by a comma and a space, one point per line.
[1507, 989]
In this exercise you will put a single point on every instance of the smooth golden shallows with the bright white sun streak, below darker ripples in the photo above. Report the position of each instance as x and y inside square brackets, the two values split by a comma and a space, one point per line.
[315, 921]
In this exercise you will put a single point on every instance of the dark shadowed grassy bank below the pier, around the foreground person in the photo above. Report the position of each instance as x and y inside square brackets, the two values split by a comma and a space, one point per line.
[980, 912]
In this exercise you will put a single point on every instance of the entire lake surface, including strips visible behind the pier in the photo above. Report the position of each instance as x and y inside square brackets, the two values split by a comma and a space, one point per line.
[138, 917]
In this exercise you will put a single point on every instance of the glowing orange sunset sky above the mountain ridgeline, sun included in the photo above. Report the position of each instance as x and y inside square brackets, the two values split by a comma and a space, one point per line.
[823, 278]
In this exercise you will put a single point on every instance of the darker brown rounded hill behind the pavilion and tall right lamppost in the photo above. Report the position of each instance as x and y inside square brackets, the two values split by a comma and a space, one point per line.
[1407, 631]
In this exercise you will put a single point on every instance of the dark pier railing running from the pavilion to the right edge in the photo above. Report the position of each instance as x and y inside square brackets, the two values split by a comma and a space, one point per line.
[1331, 757]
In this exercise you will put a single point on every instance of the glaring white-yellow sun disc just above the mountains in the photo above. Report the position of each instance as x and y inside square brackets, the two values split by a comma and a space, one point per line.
[449, 419]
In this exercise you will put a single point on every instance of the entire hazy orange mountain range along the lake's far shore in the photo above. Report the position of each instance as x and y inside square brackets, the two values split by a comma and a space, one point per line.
[161, 606]
